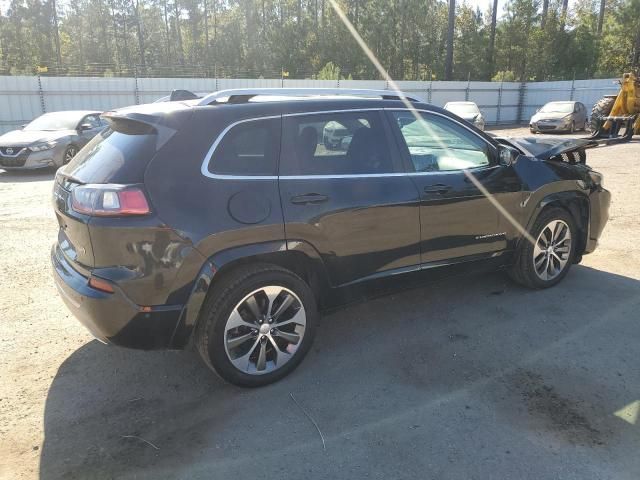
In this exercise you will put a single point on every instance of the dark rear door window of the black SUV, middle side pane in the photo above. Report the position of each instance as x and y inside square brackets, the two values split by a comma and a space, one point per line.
[342, 143]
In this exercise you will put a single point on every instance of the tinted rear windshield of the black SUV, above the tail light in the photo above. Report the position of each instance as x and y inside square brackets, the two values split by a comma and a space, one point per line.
[114, 157]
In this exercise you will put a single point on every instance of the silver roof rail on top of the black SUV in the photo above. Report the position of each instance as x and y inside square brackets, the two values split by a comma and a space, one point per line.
[242, 95]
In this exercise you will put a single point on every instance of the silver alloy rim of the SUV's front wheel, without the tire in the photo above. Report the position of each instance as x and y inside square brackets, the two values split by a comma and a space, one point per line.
[552, 250]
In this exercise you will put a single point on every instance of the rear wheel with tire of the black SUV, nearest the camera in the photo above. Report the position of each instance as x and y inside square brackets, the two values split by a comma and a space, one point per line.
[257, 325]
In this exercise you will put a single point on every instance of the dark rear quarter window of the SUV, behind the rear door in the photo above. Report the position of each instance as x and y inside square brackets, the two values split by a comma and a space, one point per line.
[249, 148]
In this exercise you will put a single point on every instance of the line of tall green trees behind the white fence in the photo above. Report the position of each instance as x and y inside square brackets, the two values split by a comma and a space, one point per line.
[413, 39]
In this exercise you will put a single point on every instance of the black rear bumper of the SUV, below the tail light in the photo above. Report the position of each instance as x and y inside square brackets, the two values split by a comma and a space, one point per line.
[112, 317]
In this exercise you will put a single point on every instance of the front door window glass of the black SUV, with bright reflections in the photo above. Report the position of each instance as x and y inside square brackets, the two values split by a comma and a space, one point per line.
[437, 144]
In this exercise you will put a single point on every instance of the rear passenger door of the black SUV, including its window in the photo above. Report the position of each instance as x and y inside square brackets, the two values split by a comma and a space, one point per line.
[348, 198]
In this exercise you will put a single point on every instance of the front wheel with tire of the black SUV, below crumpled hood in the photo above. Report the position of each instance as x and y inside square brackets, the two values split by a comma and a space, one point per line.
[546, 261]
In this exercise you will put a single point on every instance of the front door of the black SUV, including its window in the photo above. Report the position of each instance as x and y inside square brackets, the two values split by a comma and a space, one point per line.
[467, 198]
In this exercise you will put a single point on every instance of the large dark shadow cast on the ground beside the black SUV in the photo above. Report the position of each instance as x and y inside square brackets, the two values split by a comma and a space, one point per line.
[397, 367]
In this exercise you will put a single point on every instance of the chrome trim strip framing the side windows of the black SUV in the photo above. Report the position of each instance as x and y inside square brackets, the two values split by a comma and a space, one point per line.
[204, 169]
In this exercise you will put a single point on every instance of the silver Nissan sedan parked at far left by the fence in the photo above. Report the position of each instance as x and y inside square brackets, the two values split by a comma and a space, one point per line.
[51, 140]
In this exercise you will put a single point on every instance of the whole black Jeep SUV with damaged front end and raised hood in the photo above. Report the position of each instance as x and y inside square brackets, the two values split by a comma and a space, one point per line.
[226, 222]
